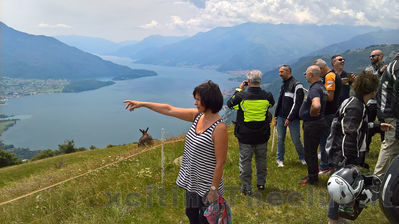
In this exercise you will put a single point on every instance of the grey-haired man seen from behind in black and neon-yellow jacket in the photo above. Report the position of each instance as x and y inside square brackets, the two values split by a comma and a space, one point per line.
[252, 128]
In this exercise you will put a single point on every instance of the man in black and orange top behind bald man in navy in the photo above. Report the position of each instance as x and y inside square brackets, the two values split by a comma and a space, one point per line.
[333, 84]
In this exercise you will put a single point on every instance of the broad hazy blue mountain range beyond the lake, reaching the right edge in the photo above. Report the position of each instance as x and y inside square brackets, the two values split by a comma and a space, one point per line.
[253, 45]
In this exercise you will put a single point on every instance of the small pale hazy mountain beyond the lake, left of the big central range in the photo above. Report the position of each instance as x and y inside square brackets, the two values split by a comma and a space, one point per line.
[148, 46]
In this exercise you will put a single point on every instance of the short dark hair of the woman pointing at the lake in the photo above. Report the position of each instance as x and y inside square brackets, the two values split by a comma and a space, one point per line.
[211, 96]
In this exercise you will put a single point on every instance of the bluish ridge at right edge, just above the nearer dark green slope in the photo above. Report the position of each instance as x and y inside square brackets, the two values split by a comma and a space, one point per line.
[361, 41]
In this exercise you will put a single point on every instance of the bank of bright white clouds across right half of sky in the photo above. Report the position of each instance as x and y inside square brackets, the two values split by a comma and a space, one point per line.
[346, 12]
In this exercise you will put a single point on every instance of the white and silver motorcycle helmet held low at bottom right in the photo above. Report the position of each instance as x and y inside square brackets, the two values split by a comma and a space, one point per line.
[345, 184]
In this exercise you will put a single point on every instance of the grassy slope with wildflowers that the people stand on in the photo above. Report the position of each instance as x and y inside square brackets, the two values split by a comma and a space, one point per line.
[131, 191]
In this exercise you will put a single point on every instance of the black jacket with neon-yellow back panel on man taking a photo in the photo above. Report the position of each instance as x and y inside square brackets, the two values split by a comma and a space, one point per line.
[252, 125]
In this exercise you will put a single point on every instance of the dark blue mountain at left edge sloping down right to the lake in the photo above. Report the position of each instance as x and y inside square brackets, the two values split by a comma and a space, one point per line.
[42, 57]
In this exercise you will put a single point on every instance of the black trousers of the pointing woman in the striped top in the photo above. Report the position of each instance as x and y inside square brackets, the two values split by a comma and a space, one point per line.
[195, 208]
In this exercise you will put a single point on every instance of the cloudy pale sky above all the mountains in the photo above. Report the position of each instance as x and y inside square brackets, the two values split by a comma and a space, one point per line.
[120, 20]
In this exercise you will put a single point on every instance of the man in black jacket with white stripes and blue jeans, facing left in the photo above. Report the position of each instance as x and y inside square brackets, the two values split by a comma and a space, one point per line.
[287, 114]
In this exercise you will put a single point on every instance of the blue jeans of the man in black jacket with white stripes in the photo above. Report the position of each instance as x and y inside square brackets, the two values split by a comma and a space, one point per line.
[295, 132]
